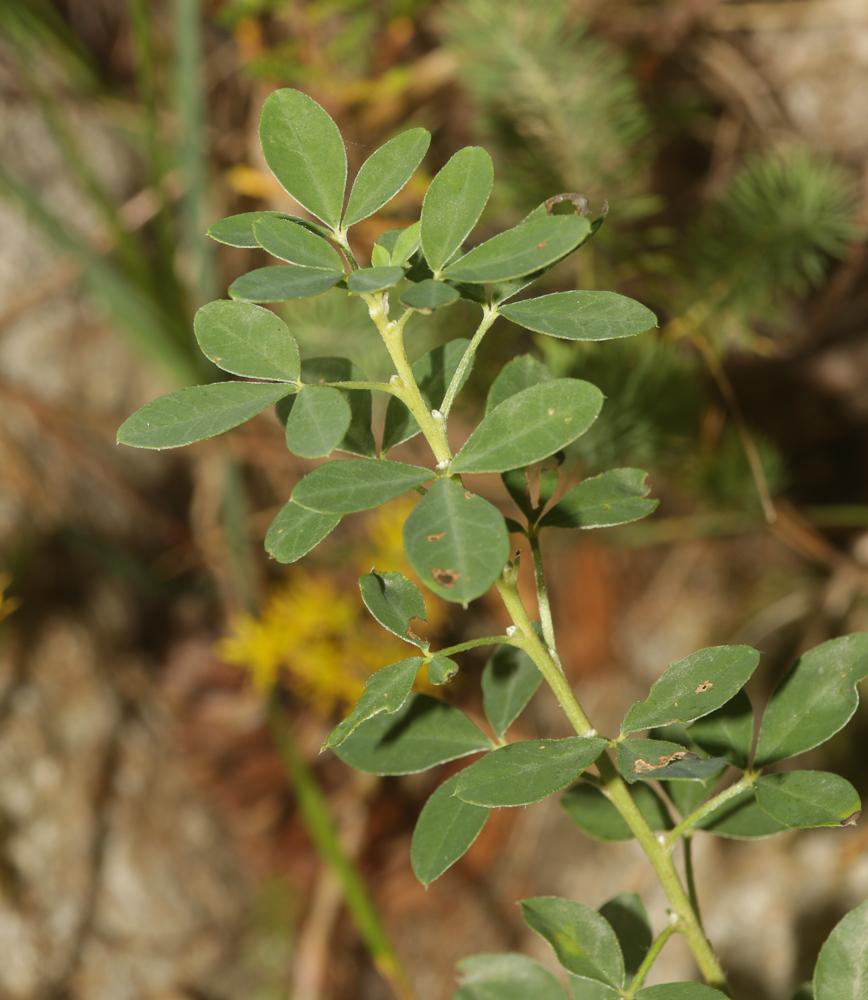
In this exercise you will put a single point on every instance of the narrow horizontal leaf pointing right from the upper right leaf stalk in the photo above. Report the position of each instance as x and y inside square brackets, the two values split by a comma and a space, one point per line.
[582, 315]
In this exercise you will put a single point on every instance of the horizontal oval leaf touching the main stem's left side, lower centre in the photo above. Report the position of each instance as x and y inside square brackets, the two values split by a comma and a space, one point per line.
[521, 773]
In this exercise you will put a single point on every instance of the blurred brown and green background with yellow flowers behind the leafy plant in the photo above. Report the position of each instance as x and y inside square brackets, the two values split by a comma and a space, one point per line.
[168, 829]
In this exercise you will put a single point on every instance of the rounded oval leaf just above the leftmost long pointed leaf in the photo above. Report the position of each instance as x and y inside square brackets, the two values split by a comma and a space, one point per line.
[247, 340]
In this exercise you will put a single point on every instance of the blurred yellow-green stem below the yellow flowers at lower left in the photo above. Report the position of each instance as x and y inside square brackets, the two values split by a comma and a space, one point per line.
[321, 830]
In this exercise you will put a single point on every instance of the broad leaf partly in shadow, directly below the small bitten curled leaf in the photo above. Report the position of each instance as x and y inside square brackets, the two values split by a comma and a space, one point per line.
[421, 734]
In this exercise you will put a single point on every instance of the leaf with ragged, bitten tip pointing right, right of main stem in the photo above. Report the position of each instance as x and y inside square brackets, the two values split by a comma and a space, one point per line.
[613, 497]
